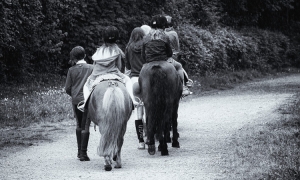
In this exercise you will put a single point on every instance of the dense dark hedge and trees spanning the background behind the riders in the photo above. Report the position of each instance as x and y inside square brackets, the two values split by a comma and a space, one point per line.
[37, 35]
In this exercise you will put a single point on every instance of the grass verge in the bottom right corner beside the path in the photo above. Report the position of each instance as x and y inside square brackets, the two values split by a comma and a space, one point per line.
[270, 151]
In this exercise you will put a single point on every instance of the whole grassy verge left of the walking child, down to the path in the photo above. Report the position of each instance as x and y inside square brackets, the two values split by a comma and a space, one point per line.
[30, 112]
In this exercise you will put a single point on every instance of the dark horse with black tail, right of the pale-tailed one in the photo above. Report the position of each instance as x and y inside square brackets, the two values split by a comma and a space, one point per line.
[160, 89]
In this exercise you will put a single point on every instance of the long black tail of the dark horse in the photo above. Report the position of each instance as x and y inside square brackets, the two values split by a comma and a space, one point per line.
[158, 104]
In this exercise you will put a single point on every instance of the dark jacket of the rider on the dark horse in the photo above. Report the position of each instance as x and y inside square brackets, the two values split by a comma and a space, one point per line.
[156, 50]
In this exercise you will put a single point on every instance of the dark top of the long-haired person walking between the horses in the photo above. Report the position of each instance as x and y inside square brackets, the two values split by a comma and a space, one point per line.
[133, 58]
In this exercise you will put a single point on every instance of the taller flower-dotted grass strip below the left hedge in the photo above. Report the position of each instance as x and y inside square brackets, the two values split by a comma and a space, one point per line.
[20, 106]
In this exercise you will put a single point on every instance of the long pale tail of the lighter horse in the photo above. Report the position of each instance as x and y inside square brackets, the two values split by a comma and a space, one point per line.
[113, 125]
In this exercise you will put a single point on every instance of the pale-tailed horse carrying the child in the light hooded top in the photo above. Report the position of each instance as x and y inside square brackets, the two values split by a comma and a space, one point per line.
[110, 107]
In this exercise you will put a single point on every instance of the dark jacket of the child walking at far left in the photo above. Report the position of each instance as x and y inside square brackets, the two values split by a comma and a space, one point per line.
[76, 78]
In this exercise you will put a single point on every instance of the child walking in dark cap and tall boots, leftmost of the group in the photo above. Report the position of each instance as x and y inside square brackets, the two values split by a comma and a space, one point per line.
[76, 78]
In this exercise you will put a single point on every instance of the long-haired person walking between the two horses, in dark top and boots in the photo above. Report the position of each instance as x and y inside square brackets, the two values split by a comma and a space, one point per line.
[134, 62]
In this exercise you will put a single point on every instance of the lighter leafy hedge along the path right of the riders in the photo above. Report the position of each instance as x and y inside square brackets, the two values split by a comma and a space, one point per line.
[209, 51]
